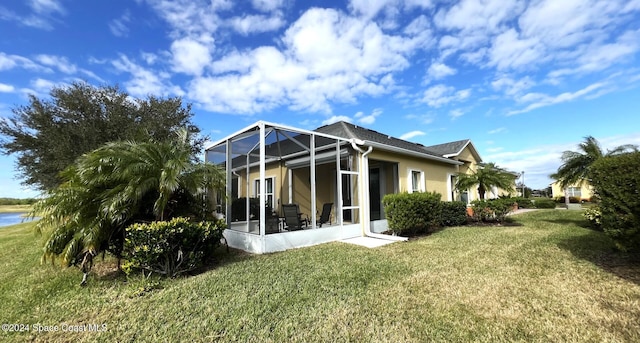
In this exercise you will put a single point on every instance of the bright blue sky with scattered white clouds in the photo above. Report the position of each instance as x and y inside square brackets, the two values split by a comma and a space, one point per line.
[524, 80]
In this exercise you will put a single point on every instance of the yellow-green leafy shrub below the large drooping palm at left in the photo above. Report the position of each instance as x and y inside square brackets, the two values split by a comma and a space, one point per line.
[170, 248]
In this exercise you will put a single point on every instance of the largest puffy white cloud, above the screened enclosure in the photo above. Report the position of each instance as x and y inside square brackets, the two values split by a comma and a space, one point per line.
[325, 56]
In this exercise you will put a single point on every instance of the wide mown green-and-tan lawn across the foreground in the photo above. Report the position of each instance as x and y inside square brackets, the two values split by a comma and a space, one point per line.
[549, 279]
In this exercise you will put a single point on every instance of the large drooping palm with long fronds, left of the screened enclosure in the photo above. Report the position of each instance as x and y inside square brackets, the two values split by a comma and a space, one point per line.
[119, 184]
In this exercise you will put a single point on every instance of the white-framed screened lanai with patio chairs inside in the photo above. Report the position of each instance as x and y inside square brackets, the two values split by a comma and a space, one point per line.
[272, 170]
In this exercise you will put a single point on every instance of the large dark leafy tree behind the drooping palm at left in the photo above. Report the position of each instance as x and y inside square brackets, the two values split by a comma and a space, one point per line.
[49, 134]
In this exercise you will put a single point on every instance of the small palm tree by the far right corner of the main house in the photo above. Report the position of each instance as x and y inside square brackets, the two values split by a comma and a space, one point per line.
[487, 176]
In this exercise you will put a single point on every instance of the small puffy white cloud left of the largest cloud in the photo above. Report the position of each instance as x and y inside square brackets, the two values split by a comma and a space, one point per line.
[190, 56]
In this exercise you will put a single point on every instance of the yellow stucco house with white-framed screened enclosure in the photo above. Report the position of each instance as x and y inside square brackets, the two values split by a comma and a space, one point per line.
[342, 167]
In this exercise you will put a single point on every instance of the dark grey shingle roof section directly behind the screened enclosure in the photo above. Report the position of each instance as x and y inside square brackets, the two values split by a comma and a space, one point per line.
[349, 131]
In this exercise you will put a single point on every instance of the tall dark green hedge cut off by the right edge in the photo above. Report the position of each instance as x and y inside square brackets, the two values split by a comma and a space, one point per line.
[617, 184]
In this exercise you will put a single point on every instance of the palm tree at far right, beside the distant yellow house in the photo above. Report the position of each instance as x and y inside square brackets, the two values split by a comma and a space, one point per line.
[576, 164]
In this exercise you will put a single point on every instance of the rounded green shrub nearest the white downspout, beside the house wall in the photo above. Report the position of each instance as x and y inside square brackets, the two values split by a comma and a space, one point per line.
[412, 212]
